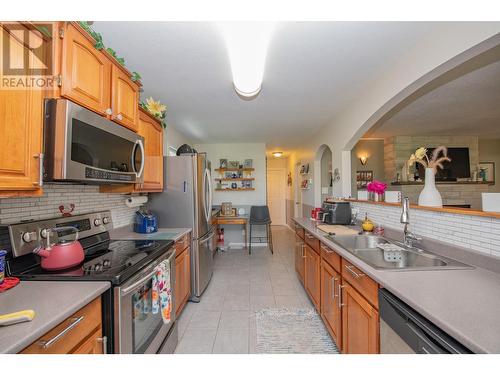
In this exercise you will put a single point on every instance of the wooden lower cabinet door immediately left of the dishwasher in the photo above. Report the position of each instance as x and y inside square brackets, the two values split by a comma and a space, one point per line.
[360, 323]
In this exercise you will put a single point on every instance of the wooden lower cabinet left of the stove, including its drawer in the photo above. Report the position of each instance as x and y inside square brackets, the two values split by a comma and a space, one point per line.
[81, 333]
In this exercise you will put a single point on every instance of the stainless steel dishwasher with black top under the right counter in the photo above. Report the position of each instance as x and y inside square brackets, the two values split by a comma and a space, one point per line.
[404, 331]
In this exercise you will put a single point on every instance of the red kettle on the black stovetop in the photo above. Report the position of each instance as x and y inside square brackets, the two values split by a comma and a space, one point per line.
[62, 254]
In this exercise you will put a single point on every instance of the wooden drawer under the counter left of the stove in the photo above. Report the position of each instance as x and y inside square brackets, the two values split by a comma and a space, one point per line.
[72, 332]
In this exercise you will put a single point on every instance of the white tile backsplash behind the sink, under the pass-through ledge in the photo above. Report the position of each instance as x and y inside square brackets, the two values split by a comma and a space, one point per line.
[472, 232]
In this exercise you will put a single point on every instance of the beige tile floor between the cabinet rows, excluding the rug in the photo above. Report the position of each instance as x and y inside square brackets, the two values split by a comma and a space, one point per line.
[224, 320]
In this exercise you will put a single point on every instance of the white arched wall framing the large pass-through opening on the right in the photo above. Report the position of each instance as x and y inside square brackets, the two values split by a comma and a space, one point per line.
[403, 78]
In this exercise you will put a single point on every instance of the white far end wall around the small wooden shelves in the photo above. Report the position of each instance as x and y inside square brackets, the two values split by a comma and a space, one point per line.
[240, 152]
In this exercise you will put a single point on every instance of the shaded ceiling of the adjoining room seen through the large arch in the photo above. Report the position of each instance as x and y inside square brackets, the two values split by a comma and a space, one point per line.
[468, 105]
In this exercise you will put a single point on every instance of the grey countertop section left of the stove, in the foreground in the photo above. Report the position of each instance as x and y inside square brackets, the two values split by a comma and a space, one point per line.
[52, 301]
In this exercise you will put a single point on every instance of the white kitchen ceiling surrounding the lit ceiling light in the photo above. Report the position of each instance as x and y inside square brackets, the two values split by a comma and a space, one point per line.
[313, 70]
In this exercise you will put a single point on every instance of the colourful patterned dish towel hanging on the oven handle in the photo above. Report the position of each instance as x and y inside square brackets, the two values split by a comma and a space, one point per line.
[162, 291]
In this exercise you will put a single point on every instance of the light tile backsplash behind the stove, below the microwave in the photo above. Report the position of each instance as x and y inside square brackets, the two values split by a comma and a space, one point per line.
[86, 198]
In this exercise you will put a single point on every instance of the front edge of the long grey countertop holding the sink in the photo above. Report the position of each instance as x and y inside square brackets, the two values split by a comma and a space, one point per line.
[370, 271]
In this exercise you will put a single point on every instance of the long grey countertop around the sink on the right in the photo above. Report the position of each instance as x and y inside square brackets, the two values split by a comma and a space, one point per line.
[463, 303]
